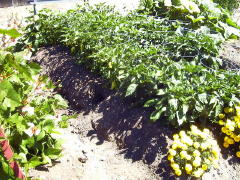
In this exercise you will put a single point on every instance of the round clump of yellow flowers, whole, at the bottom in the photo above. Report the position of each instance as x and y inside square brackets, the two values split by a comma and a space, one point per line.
[193, 152]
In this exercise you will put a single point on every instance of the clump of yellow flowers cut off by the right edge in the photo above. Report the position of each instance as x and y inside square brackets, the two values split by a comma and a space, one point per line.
[230, 120]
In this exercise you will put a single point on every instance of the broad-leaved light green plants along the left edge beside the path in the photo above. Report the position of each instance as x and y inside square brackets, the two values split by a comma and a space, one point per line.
[27, 113]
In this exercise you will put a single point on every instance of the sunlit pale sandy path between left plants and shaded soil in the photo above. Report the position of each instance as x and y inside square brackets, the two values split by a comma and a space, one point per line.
[86, 157]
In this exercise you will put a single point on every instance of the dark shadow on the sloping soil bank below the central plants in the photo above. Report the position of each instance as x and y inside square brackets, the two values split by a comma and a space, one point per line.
[116, 120]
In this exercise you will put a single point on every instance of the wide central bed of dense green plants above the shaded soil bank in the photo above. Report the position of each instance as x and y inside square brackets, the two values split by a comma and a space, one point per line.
[156, 60]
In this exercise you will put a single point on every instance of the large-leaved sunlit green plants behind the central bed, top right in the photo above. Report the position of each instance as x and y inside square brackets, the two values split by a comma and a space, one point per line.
[195, 12]
